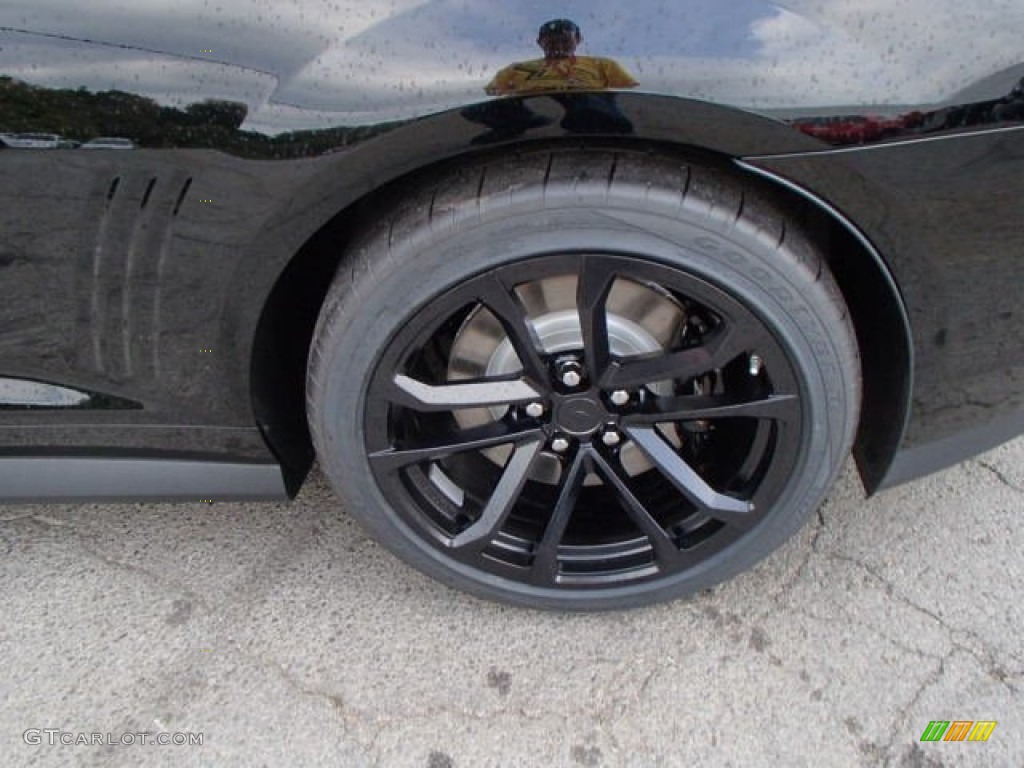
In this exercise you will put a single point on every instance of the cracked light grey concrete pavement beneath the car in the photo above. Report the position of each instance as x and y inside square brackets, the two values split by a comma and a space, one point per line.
[286, 638]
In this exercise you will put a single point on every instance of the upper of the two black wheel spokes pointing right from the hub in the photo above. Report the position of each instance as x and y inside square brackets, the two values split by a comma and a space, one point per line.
[724, 347]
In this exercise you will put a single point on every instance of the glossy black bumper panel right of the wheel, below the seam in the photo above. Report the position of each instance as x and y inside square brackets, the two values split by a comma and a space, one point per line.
[958, 254]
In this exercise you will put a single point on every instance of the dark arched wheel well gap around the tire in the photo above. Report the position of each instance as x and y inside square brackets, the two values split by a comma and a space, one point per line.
[287, 323]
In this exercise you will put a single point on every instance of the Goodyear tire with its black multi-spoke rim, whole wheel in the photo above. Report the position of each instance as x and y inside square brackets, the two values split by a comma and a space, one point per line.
[583, 379]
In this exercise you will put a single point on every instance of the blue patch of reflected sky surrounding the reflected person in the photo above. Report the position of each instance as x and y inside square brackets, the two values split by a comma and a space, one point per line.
[450, 49]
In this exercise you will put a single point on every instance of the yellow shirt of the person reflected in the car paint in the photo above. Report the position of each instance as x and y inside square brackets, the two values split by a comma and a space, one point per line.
[563, 74]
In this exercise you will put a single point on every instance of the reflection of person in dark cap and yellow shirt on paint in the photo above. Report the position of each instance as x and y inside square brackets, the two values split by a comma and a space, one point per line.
[561, 69]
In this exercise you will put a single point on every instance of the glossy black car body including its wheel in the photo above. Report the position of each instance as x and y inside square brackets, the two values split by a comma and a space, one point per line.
[579, 309]
